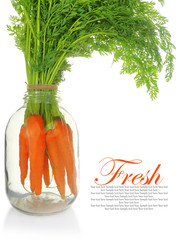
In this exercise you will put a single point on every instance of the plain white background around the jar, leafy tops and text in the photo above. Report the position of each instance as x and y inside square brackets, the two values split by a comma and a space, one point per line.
[114, 119]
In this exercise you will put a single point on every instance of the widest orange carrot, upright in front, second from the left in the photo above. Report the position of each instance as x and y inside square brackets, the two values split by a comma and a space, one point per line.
[36, 142]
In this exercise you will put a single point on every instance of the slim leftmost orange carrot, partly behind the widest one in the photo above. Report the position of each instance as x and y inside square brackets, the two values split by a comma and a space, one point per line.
[23, 154]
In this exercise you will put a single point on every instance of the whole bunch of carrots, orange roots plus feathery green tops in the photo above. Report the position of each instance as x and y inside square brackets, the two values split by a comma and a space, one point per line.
[49, 32]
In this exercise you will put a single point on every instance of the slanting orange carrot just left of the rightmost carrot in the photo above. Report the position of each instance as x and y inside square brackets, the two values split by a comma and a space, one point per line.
[56, 161]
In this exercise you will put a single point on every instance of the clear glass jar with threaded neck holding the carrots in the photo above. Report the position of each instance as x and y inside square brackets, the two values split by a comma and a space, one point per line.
[41, 155]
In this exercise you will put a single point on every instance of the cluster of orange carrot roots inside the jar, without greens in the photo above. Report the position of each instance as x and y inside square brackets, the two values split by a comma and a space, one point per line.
[40, 147]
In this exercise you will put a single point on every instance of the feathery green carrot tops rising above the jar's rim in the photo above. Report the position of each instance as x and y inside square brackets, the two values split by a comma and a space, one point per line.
[50, 31]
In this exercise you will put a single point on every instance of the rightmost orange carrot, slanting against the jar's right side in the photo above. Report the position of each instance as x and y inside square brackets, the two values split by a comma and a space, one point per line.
[65, 145]
